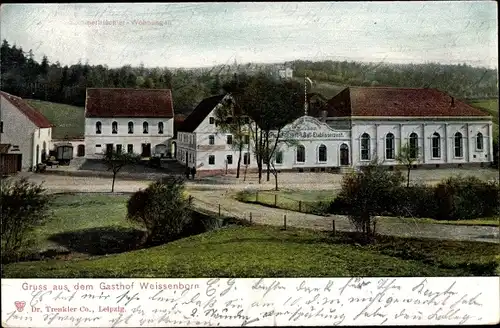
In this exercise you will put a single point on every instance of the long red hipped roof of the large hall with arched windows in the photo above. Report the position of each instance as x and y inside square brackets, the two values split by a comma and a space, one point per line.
[397, 102]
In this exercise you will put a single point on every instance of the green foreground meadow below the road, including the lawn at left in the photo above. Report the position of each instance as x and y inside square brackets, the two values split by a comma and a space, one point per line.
[260, 250]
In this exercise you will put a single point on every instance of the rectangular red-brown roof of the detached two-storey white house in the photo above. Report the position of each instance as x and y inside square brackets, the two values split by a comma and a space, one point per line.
[121, 102]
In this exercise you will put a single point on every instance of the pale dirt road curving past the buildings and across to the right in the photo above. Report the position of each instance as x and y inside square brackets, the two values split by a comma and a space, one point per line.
[210, 193]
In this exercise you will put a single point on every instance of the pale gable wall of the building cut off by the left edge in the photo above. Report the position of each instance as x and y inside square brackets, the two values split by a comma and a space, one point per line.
[18, 131]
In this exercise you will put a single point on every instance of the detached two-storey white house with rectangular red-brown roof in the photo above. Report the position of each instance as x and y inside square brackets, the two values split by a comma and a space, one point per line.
[139, 121]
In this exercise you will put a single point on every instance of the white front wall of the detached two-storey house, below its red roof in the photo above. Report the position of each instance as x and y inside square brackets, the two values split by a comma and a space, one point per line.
[123, 137]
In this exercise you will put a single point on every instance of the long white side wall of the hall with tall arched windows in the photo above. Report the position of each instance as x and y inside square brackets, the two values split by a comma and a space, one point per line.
[425, 129]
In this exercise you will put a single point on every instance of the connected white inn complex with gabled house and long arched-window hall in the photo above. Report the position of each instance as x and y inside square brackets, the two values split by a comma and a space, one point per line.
[357, 126]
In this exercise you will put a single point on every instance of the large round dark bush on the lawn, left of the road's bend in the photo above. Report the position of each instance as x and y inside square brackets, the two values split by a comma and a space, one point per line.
[162, 209]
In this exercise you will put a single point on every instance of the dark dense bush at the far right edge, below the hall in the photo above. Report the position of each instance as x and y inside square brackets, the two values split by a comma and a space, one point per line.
[463, 198]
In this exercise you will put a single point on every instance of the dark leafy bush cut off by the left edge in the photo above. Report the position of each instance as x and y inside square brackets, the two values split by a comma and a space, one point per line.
[23, 206]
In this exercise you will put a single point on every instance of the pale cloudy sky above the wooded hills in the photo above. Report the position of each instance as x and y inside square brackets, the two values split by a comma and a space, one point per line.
[206, 34]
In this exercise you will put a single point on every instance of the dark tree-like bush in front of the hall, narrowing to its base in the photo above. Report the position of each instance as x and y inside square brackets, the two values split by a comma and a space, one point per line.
[369, 193]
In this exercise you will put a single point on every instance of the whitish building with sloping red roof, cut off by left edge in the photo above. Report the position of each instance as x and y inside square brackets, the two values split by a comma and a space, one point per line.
[25, 135]
